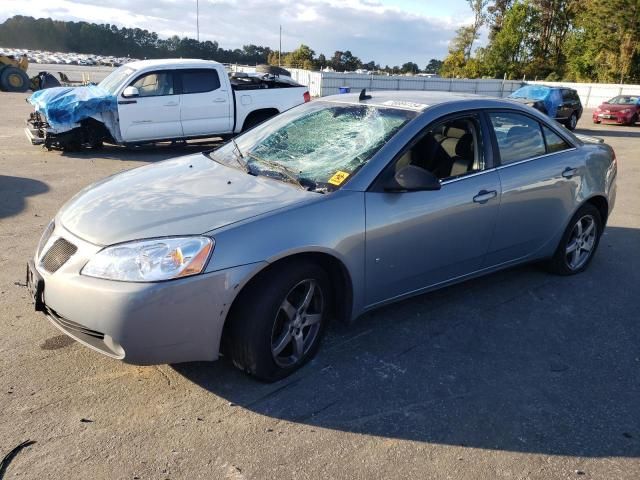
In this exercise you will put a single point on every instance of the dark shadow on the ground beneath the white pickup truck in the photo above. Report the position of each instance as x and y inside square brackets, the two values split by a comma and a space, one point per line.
[146, 152]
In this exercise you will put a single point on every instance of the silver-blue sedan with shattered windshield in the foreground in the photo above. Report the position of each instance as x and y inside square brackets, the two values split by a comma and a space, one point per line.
[327, 211]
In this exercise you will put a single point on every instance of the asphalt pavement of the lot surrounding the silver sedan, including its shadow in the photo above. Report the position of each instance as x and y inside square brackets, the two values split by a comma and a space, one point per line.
[517, 375]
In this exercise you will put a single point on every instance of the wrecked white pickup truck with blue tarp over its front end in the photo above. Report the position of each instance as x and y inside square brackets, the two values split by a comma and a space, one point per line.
[159, 100]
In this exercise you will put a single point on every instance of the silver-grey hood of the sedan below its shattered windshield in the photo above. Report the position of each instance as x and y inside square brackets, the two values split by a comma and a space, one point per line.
[184, 196]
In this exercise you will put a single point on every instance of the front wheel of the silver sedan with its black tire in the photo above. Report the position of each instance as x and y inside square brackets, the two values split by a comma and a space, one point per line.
[256, 335]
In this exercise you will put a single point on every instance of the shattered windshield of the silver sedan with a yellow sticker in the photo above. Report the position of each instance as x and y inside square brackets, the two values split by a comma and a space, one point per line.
[317, 145]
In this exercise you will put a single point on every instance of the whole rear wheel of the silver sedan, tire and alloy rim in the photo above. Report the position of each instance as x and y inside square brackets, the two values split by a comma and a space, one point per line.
[579, 242]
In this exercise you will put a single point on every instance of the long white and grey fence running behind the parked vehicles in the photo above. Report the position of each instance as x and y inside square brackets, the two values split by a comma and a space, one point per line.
[321, 84]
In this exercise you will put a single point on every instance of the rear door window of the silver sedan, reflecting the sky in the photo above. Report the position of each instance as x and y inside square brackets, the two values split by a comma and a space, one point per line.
[519, 137]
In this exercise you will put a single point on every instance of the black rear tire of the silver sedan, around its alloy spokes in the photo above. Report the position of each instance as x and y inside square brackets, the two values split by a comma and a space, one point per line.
[560, 263]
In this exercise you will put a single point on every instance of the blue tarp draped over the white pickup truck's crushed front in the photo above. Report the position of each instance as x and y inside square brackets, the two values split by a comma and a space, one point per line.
[68, 105]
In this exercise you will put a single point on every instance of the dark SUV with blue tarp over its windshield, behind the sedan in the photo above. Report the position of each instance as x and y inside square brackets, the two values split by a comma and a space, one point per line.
[561, 103]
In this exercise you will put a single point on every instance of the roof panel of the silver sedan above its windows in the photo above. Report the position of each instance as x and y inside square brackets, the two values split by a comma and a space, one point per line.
[419, 100]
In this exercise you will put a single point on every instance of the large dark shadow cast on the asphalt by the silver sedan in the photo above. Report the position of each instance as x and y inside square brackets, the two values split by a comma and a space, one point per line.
[519, 360]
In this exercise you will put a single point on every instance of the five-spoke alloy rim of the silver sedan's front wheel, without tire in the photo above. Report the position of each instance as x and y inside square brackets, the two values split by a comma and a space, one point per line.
[297, 323]
